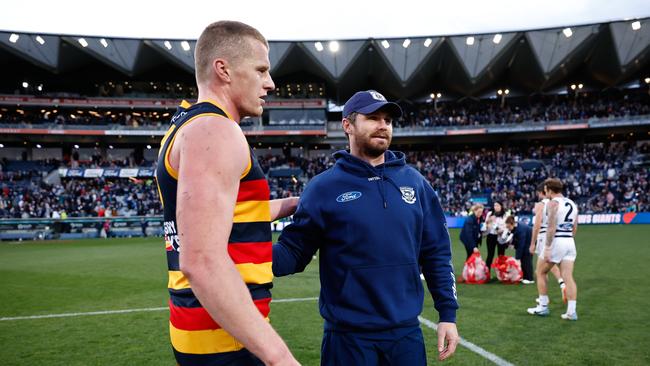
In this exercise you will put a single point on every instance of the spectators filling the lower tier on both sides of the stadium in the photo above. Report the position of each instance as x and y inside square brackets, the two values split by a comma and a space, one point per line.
[601, 178]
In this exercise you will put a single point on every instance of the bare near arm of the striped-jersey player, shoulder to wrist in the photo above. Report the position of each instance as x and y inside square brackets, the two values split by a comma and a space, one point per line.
[210, 153]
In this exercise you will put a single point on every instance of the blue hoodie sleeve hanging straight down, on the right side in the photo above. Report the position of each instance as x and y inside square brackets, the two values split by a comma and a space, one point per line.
[435, 258]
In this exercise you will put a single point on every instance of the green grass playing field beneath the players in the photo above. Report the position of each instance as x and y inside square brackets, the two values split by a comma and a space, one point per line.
[95, 275]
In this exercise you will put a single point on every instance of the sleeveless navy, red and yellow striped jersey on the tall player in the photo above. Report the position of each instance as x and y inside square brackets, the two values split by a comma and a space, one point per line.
[193, 332]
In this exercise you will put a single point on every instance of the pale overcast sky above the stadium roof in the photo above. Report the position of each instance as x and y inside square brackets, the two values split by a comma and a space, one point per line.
[310, 20]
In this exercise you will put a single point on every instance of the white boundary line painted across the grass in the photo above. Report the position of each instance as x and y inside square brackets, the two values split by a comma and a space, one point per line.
[471, 346]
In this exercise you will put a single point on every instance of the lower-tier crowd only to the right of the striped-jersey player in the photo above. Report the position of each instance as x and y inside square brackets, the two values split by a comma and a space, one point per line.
[598, 183]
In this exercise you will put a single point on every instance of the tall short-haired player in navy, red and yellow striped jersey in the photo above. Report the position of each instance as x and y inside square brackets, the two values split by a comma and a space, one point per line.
[217, 209]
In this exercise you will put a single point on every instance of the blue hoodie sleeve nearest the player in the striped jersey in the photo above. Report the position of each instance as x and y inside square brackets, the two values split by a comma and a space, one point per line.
[299, 240]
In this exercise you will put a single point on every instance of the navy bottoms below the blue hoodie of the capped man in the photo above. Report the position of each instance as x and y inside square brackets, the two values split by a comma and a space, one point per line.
[402, 346]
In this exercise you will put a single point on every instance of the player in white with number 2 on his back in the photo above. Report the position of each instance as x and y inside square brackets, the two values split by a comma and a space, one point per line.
[559, 248]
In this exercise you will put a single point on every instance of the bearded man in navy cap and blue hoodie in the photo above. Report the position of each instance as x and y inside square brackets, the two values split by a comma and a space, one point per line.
[376, 222]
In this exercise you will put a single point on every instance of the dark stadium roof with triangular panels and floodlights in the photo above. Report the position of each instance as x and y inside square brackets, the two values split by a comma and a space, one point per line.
[410, 68]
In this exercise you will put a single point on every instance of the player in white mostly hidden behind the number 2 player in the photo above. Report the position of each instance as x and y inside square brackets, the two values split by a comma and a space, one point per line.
[539, 238]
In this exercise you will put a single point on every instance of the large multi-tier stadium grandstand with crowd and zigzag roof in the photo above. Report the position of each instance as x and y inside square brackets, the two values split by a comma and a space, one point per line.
[487, 116]
